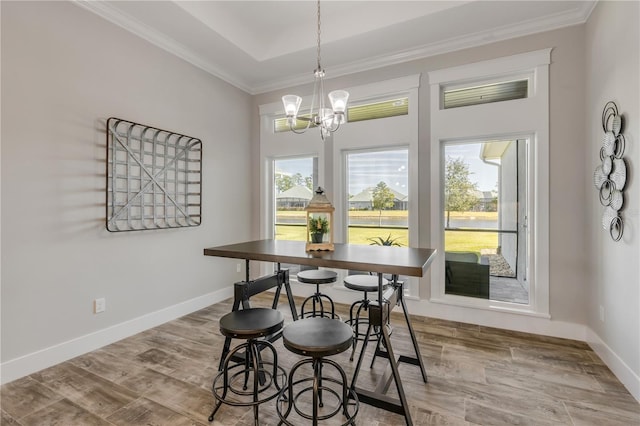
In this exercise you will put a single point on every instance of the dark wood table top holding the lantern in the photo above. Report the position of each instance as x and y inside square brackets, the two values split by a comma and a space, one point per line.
[409, 261]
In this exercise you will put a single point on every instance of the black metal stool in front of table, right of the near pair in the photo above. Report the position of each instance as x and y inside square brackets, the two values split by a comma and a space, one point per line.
[317, 338]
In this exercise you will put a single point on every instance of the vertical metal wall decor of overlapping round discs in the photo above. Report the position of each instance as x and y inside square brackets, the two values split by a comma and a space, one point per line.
[610, 176]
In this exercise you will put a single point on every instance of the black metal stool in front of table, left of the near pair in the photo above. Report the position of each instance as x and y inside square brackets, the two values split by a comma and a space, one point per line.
[250, 325]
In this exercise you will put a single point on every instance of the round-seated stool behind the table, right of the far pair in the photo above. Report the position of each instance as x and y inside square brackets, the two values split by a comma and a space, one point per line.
[365, 284]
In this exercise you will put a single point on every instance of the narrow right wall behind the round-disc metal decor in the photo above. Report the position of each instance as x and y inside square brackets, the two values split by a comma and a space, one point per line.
[613, 74]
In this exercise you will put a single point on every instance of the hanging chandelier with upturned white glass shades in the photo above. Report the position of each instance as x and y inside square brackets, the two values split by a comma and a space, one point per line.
[327, 119]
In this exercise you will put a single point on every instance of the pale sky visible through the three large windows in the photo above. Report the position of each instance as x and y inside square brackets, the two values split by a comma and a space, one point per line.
[368, 168]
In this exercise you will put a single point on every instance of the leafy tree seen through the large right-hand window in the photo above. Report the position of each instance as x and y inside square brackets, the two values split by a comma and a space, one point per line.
[458, 189]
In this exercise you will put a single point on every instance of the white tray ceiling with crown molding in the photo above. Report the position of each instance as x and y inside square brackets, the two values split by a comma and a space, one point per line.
[259, 46]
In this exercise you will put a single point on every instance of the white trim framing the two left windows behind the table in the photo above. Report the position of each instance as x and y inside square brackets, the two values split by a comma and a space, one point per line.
[331, 167]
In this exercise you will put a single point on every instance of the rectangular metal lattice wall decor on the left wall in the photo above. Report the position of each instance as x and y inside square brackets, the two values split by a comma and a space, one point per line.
[154, 178]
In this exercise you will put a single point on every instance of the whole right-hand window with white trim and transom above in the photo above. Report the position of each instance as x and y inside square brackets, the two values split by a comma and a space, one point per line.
[489, 185]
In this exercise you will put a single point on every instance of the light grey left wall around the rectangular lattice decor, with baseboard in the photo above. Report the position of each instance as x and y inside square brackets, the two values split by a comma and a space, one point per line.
[64, 72]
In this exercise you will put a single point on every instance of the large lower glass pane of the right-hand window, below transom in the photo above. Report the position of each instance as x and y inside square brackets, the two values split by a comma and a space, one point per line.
[485, 232]
